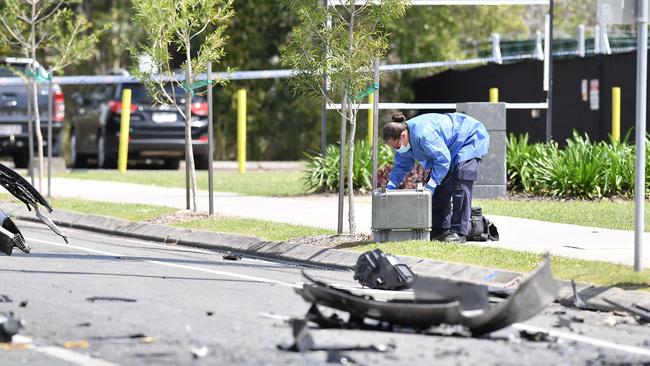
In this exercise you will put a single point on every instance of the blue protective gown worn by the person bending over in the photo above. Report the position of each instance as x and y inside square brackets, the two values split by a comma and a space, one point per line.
[438, 142]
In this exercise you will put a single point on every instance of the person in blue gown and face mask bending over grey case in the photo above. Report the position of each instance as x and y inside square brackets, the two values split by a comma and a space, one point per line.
[451, 147]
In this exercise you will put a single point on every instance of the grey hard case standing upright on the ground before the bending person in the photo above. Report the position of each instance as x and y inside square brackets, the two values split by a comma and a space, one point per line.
[403, 214]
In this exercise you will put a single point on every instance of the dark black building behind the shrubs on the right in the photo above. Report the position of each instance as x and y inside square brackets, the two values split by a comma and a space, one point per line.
[582, 93]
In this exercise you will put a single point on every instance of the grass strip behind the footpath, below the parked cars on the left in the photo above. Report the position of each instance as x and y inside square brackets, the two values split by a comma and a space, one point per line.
[258, 183]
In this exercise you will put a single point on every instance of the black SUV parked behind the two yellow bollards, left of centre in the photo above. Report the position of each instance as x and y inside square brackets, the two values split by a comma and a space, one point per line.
[156, 131]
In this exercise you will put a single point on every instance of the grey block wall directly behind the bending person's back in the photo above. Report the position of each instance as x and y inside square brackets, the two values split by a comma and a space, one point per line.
[491, 182]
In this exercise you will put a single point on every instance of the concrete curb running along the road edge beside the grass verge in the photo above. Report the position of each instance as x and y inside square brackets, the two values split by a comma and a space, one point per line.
[314, 255]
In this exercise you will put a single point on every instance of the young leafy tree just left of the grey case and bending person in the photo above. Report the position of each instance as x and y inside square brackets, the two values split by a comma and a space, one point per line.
[335, 46]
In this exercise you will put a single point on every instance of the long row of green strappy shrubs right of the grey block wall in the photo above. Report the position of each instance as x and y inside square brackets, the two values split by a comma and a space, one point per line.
[583, 169]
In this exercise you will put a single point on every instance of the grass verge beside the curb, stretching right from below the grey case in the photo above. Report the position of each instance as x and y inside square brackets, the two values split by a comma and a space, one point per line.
[594, 272]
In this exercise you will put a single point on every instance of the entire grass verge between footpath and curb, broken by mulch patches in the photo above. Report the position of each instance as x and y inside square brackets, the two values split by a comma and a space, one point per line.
[595, 272]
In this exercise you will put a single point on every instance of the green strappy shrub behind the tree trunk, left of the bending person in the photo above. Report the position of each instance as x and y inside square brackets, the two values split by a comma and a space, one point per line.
[322, 173]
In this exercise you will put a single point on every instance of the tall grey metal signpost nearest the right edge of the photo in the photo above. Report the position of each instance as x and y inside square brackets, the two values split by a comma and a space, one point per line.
[641, 92]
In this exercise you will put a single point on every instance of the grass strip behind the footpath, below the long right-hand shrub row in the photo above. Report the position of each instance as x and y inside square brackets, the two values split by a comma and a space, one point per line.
[604, 213]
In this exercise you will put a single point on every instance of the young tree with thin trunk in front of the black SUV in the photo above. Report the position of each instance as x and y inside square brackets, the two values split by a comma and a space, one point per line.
[171, 25]
